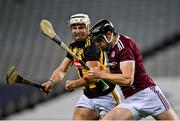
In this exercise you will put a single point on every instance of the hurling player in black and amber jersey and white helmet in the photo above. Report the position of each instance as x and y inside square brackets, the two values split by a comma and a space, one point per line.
[95, 100]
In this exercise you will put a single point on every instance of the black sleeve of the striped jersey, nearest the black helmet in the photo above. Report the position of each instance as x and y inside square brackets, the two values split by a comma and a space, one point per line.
[92, 53]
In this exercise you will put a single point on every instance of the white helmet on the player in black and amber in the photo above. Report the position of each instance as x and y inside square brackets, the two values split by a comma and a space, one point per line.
[79, 19]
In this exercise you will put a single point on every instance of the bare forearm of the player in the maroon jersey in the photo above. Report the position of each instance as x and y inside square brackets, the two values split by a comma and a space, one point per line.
[119, 79]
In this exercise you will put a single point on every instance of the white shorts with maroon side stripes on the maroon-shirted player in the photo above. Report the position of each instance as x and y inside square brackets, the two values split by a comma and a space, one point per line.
[150, 101]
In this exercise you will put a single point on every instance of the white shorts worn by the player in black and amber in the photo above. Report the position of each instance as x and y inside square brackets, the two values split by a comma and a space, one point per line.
[101, 104]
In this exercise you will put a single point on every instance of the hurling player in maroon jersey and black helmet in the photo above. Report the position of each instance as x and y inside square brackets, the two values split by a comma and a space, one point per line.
[142, 96]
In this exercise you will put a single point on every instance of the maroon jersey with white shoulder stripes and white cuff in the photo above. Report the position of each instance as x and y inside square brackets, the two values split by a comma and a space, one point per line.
[125, 49]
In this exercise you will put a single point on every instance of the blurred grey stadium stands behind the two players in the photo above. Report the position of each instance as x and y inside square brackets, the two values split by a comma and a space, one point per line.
[154, 24]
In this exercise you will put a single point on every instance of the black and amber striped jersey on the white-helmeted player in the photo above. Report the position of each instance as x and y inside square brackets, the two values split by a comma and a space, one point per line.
[87, 51]
